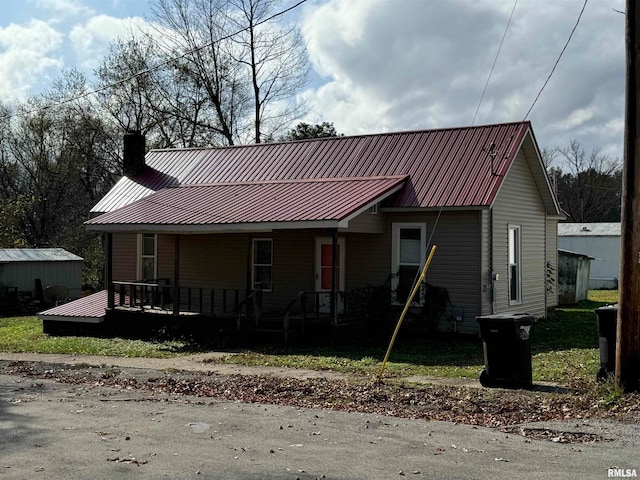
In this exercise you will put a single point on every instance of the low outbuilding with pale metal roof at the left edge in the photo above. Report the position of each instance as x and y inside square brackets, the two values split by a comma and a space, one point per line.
[29, 272]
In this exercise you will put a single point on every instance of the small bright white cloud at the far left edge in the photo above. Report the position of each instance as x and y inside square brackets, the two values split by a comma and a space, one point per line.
[27, 52]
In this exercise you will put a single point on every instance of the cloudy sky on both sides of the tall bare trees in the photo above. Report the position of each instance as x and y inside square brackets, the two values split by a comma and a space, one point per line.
[388, 65]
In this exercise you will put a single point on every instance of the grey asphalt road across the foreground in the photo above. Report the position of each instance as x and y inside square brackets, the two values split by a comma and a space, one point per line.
[65, 431]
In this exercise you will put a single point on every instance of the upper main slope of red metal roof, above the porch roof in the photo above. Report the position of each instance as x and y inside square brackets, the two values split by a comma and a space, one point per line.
[447, 167]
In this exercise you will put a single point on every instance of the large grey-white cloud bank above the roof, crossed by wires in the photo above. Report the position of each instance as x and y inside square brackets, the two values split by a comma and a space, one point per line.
[394, 65]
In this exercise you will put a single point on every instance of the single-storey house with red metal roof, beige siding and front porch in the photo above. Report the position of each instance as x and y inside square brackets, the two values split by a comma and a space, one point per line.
[333, 230]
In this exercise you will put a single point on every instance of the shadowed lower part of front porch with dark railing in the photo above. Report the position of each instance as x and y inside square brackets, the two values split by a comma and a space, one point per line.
[234, 314]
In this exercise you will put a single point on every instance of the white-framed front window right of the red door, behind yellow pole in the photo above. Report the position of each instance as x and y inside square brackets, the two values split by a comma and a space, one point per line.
[407, 259]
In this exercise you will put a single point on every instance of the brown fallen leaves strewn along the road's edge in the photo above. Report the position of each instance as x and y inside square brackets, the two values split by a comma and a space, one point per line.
[473, 406]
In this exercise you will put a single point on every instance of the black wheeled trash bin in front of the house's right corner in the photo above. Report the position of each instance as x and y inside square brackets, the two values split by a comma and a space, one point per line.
[507, 350]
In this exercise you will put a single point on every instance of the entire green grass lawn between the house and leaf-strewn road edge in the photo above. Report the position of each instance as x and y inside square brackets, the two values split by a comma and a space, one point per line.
[564, 349]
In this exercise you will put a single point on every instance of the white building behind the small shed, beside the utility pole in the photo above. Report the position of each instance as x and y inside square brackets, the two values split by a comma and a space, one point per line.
[598, 240]
